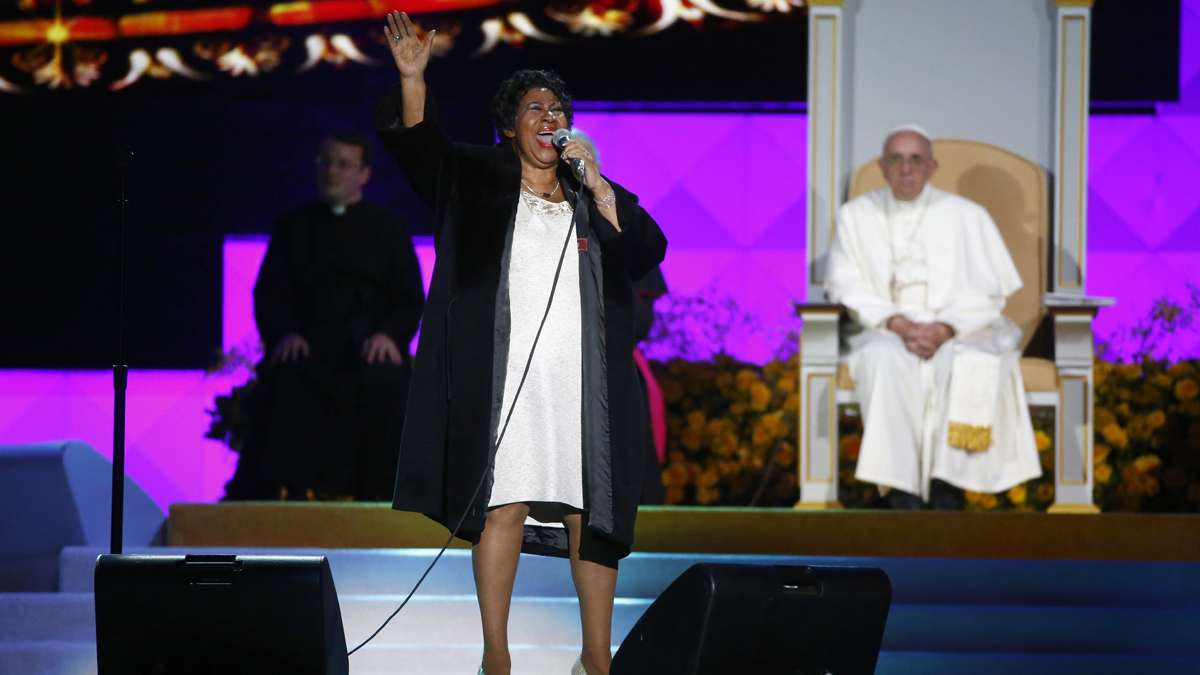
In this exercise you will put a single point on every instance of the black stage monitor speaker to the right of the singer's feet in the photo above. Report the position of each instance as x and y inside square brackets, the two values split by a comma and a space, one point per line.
[767, 620]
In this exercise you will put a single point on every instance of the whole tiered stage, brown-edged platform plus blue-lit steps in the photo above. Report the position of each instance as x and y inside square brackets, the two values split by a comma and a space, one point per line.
[971, 593]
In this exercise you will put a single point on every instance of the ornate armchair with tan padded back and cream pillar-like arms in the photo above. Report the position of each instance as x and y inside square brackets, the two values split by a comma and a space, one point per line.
[1058, 331]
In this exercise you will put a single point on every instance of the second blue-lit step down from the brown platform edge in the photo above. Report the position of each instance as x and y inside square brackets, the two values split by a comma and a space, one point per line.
[453, 620]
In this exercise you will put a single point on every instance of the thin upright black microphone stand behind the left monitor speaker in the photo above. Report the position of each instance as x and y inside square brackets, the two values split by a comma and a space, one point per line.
[121, 371]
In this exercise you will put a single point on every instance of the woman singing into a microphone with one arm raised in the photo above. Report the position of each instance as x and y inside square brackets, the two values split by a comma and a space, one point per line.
[525, 247]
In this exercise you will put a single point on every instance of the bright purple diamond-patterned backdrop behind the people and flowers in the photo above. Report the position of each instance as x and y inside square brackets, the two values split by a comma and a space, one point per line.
[729, 190]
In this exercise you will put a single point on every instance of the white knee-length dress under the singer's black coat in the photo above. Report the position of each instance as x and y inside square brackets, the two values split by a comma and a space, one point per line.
[541, 458]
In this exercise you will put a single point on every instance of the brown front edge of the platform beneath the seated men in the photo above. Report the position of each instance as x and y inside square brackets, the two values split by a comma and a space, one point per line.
[695, 530]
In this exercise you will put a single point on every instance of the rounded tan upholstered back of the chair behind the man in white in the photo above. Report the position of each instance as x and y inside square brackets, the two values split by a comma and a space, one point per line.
[1016, 194]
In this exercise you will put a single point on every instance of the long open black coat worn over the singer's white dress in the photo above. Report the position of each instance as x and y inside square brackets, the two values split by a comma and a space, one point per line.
[454, 402]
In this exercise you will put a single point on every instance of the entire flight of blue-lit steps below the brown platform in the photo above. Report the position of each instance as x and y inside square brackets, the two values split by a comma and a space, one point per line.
[949, 616]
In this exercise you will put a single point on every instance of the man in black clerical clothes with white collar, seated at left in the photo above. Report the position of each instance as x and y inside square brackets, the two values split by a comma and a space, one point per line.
[338, 302]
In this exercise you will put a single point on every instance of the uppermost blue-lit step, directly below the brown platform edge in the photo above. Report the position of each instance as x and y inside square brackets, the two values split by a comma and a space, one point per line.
[644, 576]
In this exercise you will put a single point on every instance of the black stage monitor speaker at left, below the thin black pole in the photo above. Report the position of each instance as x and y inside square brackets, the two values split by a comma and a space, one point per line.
[218, 614]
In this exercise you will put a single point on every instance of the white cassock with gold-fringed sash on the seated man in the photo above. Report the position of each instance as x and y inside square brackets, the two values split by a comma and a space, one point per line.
[938, 259]
